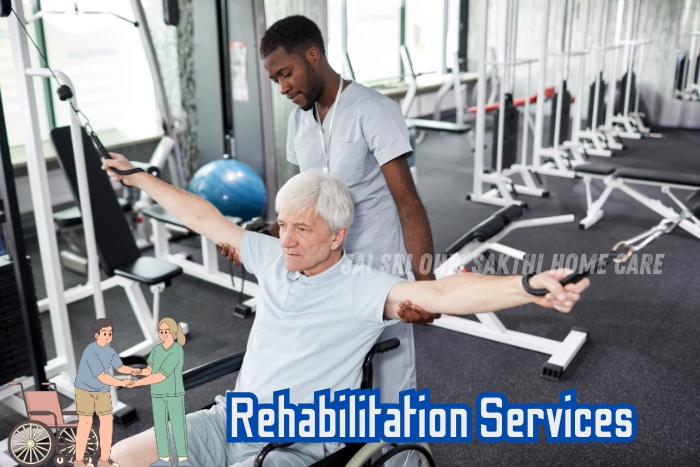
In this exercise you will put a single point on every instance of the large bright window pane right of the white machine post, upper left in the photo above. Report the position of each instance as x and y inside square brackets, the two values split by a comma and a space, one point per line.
[104, 58]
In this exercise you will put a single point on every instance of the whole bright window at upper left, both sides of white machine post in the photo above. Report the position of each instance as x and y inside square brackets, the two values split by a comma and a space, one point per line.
[104, 58]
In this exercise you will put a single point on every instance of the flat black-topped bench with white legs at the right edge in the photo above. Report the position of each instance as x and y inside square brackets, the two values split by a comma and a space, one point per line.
[622, 179]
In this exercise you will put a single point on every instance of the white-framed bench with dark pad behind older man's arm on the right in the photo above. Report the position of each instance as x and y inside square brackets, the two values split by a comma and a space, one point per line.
[486, 236]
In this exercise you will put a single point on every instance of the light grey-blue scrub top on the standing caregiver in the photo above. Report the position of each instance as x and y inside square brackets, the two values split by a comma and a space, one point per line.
[368, 131]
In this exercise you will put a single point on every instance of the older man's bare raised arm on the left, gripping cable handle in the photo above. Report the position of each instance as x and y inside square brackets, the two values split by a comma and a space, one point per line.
[196, 213]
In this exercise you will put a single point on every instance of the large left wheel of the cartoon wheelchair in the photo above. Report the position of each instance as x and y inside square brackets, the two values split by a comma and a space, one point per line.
[31, 443]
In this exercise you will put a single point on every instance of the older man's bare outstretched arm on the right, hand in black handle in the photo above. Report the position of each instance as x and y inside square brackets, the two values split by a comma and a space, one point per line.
[465, 294]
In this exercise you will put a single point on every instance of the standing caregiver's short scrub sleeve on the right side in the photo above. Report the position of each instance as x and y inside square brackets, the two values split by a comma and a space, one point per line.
[385, 130]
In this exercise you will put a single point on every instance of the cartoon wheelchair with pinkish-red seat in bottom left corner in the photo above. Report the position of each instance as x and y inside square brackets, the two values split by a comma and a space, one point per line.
[46, 434]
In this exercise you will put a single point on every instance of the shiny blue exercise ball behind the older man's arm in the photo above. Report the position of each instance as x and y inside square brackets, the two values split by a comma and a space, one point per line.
[233, 187]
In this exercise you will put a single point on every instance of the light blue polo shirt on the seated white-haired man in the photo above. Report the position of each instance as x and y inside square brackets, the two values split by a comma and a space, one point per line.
[310, 333]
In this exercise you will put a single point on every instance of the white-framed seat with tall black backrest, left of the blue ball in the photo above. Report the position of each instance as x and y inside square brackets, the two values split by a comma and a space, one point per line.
[120, 257]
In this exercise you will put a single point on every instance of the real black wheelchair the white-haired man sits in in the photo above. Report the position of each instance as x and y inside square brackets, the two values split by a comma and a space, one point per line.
[353, 454]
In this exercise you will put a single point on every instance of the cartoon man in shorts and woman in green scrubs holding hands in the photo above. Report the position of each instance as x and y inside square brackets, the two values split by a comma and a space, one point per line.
[163, 374]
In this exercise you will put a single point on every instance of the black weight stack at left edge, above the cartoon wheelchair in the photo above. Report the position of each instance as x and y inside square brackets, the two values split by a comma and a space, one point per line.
[14, 346]
